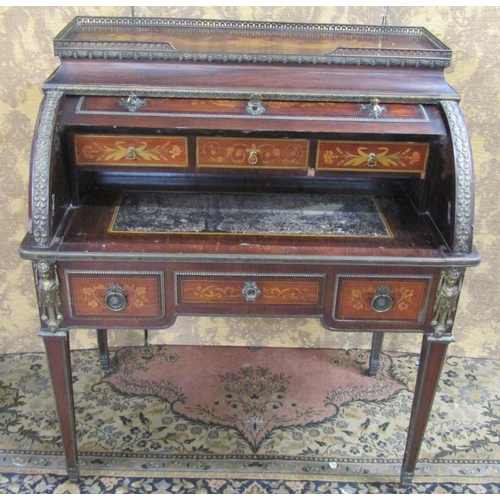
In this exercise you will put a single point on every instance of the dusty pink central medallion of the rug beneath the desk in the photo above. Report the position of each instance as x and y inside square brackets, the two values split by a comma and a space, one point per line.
[252, 393]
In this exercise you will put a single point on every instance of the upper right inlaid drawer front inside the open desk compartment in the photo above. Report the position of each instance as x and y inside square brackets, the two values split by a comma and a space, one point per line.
[372, 156]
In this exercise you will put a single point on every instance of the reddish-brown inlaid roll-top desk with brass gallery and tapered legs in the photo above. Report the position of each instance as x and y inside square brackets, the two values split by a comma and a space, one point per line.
[248, 168]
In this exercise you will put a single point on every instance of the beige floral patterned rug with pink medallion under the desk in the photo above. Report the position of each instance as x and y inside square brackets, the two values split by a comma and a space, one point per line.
[303, 419]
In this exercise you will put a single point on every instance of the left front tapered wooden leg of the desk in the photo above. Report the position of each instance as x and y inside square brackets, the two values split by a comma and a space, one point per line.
[58, 356]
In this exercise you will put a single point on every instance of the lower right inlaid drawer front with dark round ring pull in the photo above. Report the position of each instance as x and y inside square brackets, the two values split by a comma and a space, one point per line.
[381, 298]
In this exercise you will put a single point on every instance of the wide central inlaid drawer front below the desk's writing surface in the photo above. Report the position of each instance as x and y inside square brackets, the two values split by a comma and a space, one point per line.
[231, 288]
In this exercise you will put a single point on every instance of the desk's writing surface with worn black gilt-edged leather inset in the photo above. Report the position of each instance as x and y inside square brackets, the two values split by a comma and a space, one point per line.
[382, 225]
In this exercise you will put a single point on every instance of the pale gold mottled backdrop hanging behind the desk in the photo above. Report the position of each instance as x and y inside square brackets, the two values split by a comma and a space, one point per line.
[472, 32]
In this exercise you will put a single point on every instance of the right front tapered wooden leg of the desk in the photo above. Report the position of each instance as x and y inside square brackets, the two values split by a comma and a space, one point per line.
[429, 370]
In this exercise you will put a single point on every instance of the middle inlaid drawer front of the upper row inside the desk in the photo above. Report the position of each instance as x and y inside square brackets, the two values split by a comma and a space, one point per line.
[219, 152]
